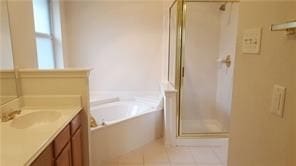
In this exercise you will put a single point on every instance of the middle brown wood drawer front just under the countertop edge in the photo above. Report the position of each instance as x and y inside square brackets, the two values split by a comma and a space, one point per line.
[61, 140]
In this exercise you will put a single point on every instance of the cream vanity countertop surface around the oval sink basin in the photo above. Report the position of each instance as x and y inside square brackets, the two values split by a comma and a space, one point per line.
[20, 147]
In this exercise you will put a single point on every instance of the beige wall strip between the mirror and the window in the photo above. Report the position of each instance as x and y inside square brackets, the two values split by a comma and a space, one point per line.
[22, 33]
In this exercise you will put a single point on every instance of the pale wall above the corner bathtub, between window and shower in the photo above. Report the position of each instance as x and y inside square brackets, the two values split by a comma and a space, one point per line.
[121, 40]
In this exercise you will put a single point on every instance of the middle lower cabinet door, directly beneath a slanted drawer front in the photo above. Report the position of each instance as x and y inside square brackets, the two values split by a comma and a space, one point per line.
[65, 158]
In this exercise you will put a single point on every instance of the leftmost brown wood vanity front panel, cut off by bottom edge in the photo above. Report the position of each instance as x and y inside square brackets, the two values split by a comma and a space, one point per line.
[45, 158]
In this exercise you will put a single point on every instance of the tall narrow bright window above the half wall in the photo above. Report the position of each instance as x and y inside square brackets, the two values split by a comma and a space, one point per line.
[44, 35]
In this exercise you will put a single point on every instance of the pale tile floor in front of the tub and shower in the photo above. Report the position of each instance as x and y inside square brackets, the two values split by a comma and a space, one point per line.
[156, 154]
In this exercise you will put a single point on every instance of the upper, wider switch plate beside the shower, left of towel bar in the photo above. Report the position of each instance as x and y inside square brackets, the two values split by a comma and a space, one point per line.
[252, 41]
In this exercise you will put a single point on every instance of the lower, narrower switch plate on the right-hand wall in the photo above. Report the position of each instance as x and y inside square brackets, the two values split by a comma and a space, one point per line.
[278, 100]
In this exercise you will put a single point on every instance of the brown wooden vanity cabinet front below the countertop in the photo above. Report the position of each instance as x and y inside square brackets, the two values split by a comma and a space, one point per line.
[66, 149]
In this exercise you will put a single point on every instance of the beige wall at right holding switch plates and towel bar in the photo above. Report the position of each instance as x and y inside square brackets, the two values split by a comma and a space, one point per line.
[257, 137]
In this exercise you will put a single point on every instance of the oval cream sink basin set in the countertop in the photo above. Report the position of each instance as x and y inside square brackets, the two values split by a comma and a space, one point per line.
[35, 119]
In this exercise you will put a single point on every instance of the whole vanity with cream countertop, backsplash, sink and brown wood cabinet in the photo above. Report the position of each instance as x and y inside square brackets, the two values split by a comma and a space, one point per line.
[47, 135]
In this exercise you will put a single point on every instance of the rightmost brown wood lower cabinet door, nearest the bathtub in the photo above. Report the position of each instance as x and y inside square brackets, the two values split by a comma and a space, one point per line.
[77, 148]
